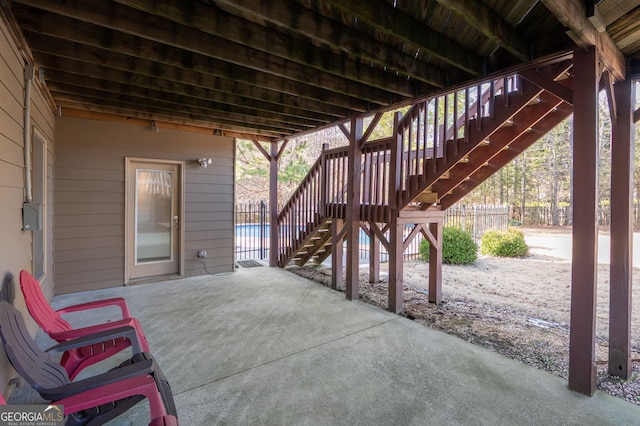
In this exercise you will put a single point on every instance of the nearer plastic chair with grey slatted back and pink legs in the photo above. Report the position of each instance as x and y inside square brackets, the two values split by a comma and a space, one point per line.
[93, 400]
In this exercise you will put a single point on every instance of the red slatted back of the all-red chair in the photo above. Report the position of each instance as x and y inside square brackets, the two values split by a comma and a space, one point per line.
[41, 311]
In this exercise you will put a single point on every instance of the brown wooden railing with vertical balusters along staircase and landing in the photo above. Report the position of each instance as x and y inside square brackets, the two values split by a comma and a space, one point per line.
[395, 169]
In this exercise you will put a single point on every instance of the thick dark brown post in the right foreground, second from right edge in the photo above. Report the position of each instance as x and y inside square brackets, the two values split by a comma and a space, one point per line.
[582, 367]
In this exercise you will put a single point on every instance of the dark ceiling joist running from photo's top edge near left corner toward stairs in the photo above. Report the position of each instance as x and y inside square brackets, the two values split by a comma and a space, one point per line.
[269, 52]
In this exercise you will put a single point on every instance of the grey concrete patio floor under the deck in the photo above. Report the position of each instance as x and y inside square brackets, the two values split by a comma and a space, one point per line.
[262, 346]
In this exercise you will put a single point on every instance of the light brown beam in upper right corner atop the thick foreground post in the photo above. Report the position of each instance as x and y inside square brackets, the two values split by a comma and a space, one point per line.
[573, 14]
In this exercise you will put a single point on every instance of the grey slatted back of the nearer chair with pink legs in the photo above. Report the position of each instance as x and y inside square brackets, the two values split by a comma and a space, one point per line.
[31, 362]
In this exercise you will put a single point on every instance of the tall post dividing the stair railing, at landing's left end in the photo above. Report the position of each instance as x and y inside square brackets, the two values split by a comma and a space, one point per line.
[353, 208]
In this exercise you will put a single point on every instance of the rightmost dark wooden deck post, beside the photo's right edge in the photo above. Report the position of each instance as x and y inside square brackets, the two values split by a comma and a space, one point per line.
[621, 230]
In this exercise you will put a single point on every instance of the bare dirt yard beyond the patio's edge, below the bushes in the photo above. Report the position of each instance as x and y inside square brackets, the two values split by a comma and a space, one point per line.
[516, 307]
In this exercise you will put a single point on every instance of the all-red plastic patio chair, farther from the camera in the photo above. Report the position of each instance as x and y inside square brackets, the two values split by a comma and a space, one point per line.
[74, 360]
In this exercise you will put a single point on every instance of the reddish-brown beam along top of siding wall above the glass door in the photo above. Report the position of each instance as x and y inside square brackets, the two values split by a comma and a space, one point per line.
[171, 124]
